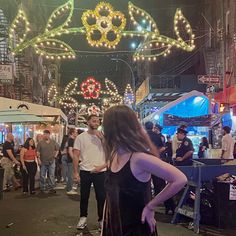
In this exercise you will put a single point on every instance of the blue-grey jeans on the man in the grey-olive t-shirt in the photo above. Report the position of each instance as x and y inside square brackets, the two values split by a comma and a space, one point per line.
[47, 171]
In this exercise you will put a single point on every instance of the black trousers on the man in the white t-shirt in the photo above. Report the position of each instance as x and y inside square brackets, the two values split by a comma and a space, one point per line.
[86, 179]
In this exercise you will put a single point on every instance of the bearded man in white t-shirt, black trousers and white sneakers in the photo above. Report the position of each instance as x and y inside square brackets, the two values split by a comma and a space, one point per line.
[89, 154]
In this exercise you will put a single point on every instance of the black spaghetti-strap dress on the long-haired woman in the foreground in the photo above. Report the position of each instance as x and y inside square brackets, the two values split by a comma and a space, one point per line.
[125, 199]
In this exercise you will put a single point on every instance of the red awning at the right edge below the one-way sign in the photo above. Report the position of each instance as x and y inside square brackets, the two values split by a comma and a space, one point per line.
[229, 96]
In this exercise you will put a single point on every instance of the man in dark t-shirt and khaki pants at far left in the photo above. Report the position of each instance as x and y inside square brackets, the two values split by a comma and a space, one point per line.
[8, 161]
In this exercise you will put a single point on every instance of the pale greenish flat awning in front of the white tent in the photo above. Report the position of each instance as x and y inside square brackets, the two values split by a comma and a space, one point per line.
[18, 116]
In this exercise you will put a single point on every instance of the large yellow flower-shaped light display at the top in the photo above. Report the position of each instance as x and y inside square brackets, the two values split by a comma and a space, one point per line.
[104, 25]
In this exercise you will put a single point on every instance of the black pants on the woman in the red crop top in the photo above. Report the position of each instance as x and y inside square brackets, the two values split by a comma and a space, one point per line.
[29, 176]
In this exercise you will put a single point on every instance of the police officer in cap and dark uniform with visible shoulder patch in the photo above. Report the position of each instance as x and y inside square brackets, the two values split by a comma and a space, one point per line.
[184, 154]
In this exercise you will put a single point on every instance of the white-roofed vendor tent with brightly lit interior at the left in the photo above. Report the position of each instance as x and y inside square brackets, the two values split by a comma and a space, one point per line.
[53, 119]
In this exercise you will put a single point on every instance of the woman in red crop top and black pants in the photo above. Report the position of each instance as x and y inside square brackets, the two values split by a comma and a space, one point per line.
[28, 157]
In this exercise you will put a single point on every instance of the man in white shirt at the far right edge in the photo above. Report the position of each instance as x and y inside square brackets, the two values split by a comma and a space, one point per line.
[227, 144]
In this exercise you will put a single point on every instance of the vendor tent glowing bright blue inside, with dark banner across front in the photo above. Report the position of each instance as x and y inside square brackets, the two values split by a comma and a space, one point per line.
[192, 109]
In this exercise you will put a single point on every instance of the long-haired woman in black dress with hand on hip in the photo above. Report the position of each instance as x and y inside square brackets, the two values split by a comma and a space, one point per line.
[129, 210]
